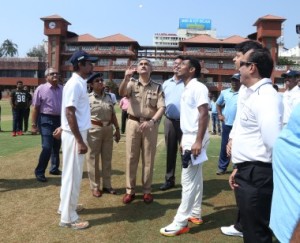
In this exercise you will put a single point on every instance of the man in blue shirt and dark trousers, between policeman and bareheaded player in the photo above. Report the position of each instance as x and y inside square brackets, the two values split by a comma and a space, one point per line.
[173, 89]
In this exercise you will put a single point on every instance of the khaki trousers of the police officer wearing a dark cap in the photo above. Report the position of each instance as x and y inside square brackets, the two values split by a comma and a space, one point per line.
[100, 143]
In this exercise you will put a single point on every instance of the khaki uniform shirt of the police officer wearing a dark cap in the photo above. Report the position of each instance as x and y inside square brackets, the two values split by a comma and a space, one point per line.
[102, 107]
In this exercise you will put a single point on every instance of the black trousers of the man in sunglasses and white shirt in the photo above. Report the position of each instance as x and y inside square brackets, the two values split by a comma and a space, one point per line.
[254, 195]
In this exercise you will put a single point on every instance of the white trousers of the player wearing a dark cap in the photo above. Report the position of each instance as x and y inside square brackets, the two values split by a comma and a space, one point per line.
[71, 176]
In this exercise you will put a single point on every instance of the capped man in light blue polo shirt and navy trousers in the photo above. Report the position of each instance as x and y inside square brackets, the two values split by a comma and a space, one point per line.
[227, 100]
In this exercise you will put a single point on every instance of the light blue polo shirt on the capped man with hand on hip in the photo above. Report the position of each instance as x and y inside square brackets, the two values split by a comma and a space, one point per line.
[228, 97]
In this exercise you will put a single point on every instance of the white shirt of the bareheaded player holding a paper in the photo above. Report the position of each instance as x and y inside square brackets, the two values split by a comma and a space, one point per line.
[194, 95]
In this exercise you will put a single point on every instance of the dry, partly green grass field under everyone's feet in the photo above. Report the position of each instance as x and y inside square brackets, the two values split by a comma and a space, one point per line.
[28, 208]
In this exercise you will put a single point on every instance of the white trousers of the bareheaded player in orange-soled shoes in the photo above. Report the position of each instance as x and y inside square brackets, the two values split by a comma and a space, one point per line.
[192, 191]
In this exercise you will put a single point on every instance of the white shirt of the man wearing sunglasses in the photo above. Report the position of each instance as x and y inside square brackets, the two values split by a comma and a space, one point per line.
[257, 124]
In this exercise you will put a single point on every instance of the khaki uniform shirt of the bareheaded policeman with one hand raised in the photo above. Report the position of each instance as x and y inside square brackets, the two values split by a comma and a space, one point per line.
[144, 100]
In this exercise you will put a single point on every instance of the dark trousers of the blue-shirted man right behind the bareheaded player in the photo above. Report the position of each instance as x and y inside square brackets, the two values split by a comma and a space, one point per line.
[173, 136]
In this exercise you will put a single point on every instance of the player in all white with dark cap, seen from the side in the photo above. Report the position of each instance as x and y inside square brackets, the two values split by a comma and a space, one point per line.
[75, 123]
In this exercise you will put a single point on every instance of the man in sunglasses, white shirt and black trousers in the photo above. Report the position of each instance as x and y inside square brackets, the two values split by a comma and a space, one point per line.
[257, 125]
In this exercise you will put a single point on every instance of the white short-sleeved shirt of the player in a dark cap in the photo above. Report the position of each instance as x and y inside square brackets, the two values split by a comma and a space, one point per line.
[75, 94]
